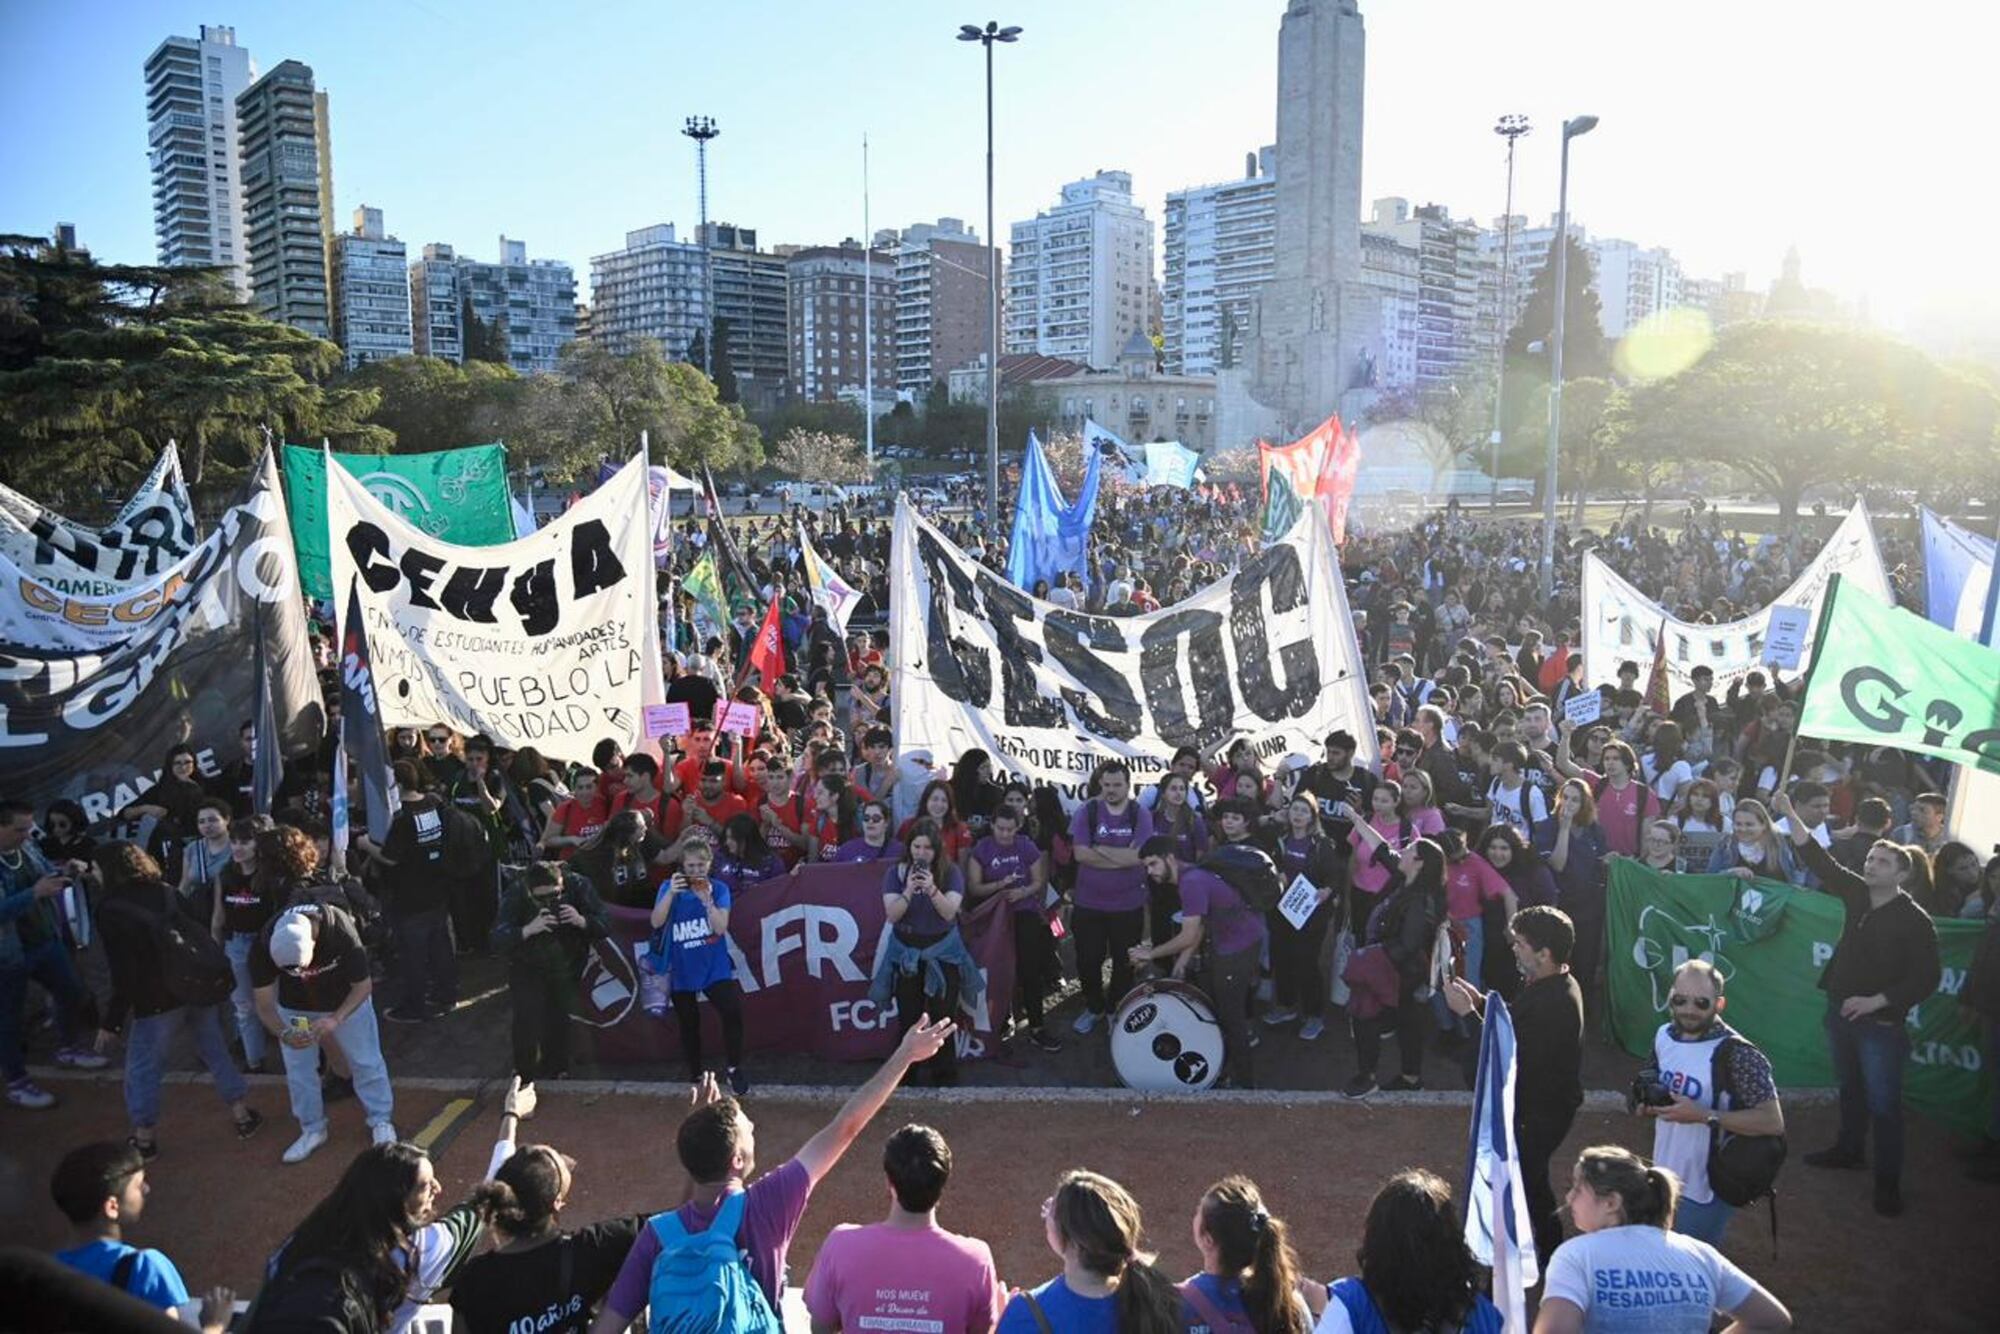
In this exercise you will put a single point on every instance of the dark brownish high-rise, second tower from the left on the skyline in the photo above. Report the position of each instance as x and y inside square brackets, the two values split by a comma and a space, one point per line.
[281, 129]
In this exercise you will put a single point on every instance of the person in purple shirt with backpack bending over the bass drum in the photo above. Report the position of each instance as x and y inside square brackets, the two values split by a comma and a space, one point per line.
[1213, 911]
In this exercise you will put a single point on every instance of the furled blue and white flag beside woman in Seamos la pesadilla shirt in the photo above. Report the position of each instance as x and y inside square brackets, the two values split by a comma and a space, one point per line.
[1497, 1205]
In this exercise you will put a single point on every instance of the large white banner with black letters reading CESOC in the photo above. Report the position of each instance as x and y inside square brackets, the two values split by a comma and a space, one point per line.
[1051, 693]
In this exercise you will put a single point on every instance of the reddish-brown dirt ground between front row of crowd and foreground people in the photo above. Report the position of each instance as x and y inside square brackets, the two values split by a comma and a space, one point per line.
[217, 1205]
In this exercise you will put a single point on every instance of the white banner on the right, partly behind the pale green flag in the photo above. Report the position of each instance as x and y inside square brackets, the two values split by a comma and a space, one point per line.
[1623, 625]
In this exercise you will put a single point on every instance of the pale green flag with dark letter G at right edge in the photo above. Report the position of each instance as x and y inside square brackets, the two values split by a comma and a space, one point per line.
[1885, 677]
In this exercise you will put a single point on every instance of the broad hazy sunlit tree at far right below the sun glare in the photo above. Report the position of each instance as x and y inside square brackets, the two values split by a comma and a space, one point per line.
[1791, 405]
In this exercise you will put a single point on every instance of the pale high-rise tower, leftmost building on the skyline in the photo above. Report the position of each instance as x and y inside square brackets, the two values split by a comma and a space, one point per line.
[191, 145]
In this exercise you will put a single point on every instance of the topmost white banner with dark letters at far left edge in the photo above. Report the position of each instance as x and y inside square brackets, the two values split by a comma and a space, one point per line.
[153, 533]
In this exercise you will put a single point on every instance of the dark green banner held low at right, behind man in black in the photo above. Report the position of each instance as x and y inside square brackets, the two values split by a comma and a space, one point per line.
[1771, 943]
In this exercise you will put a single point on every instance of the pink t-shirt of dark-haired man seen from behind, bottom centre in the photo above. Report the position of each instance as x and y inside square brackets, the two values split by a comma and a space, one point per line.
[905, 1279]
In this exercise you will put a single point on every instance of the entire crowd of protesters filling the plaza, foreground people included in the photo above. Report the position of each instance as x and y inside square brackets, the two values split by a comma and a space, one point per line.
[1473, 857]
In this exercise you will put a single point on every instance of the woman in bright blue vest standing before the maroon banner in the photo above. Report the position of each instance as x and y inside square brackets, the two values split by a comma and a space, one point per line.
[691, 925]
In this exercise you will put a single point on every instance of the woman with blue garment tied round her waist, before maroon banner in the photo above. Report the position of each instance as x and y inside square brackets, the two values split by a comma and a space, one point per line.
[925, 963]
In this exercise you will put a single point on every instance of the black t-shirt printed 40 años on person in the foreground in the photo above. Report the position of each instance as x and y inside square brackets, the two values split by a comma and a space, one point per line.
[523, 1291]
